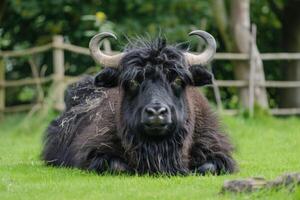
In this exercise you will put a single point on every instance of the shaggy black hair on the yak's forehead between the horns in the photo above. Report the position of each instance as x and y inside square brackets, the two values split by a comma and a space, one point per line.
[153, 55]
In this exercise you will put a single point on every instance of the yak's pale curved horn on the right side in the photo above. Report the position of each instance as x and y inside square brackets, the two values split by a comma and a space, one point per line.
[209, 52]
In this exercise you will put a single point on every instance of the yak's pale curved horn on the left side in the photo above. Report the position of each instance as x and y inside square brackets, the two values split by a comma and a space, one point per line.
[101, 58]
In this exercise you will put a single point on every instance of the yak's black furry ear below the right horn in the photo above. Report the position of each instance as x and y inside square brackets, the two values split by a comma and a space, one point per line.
[201, 76]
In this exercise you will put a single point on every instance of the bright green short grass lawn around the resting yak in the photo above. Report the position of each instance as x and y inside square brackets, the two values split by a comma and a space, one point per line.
[265, 147]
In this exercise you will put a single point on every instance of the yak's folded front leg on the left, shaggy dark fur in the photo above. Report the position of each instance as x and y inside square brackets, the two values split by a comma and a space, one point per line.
[102, 153]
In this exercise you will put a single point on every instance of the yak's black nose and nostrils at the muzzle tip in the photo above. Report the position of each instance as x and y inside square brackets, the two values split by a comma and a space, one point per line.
[156, 115]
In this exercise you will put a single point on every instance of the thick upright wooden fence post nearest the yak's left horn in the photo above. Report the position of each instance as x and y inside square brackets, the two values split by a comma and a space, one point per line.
[59, 72]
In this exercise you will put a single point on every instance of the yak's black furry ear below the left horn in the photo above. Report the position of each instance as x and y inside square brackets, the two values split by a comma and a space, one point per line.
[108, 77]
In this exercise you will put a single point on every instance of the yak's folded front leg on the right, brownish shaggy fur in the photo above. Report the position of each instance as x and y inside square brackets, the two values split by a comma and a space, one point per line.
[211, 150]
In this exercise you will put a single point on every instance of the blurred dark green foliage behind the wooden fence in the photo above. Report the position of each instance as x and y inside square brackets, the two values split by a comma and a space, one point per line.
[28, 23]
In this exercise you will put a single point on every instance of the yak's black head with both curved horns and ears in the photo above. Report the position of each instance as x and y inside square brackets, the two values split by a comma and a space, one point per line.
[153, 78]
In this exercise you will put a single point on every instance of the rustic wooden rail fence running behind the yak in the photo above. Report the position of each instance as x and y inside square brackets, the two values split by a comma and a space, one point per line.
[59, 79]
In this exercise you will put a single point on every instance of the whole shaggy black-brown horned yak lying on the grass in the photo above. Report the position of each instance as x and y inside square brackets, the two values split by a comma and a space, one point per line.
[142, 114]
